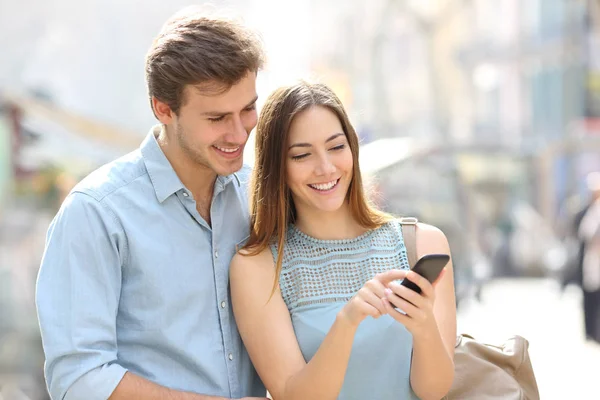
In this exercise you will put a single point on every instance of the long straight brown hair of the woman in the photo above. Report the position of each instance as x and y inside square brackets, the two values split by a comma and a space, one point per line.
[271, 204]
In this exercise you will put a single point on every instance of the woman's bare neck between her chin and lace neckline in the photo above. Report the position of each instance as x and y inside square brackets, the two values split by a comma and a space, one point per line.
[335, 225]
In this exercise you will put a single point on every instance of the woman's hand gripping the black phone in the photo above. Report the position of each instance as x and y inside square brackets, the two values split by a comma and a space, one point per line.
[419, 318]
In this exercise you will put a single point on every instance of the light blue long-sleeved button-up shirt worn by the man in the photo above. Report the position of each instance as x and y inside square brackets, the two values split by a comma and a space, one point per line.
[133, 279]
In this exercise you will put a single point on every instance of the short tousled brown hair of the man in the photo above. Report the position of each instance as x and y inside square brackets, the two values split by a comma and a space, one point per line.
[200, 49]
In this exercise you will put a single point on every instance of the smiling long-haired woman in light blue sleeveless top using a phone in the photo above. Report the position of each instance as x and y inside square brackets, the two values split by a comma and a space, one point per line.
[313, 290]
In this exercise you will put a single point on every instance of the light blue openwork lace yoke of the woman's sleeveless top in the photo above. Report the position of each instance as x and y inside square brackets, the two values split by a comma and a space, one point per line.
[328, 271]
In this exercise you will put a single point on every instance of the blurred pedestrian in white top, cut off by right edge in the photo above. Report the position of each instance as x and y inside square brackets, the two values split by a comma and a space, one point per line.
[589, 234]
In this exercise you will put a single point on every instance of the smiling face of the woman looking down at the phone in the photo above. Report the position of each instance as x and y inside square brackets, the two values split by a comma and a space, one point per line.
[319, 161]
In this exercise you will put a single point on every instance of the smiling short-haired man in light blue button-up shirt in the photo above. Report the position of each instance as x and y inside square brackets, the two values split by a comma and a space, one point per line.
[132, 293]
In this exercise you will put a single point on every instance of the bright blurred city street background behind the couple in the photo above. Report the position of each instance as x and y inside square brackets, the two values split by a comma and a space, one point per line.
[481, 117]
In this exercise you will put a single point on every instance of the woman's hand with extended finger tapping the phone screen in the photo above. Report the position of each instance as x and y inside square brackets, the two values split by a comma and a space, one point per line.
[368, 301]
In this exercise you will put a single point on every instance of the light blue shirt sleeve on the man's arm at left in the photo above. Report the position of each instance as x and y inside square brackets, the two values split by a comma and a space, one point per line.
[77, 298]
